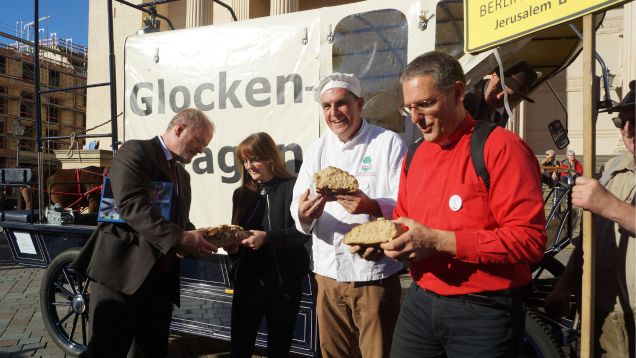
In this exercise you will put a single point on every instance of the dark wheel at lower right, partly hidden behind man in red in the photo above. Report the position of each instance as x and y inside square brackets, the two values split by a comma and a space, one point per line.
[539, 340]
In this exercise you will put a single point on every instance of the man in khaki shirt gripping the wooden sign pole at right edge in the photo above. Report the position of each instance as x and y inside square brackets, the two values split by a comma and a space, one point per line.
[611, 200]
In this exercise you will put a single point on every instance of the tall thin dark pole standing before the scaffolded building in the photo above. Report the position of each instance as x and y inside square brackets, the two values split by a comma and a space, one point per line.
[38, 110]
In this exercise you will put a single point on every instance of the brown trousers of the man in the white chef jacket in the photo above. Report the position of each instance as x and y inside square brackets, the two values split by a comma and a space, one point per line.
[357, 319]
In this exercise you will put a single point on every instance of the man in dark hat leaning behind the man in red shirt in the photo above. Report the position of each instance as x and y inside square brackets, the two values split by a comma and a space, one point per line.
[485, 100]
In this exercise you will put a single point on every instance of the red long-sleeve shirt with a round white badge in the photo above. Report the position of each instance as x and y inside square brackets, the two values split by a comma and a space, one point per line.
[498, 231]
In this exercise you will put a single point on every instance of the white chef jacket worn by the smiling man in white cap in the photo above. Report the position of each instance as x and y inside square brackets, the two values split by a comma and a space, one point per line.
[374, 157]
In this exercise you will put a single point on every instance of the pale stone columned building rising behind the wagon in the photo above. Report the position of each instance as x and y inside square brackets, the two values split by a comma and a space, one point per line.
[615, 43]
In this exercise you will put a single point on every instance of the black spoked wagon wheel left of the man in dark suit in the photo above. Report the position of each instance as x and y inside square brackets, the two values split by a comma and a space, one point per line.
[64, 304]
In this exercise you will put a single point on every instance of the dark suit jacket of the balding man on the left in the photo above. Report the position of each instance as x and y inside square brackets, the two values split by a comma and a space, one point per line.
[120, 256]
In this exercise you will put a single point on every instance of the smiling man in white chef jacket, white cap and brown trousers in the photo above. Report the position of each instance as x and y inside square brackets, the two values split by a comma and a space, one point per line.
[358, 295]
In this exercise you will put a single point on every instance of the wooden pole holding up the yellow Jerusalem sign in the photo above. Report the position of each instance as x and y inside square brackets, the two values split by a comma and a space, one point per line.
[589, 152]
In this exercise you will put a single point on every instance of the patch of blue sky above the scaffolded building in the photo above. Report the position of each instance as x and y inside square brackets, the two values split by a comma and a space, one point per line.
[68, 18]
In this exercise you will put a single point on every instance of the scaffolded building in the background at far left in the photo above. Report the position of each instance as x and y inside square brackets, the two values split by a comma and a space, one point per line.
[62, 113]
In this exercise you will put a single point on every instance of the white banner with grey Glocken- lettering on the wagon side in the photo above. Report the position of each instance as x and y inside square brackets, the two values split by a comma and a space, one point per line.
[246, 77]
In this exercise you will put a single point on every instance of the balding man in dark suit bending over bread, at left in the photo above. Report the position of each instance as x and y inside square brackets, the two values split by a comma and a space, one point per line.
[134, 266]
